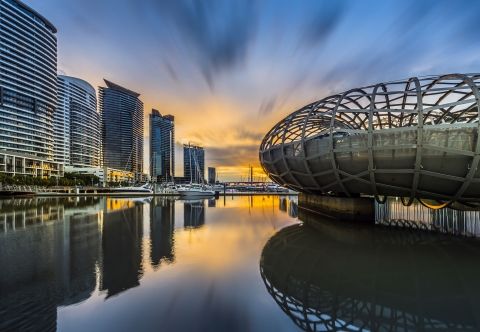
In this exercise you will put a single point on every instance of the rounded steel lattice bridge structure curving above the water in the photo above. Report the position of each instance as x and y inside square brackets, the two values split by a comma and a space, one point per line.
[414, 138]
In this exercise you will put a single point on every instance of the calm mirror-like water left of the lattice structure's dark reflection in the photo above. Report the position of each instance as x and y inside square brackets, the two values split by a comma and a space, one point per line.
[81, 264]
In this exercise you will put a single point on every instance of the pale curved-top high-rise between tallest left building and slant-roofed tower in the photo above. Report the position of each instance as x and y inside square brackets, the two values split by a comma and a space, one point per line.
[77, 129]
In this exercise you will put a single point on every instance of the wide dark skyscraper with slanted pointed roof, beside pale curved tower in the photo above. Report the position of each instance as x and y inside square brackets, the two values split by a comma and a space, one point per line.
[121, 113]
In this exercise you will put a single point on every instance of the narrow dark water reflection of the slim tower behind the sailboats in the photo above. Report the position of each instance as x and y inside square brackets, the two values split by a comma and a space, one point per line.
[162, 226]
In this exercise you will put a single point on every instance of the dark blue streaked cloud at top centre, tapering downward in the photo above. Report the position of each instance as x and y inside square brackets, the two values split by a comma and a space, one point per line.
[216, 33]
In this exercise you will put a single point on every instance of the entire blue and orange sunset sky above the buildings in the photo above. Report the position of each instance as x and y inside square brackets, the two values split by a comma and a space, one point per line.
[229, 70]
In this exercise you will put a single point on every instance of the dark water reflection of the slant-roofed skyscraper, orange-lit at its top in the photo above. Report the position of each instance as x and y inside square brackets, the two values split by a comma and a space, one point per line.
[122, 234]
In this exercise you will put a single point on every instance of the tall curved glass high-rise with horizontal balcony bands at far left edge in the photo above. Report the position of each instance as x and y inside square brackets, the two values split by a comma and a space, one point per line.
[28, 92]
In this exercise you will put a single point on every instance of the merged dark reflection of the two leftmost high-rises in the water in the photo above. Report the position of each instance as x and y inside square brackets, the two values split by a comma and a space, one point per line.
[48, 252]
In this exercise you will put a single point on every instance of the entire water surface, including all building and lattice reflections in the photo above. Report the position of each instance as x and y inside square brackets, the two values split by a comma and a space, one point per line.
[233, 264]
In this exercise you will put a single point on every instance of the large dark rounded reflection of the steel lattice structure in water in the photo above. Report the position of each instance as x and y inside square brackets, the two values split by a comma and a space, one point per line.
[350, 277]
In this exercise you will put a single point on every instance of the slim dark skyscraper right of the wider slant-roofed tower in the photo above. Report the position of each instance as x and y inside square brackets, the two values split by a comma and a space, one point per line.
[162, 146]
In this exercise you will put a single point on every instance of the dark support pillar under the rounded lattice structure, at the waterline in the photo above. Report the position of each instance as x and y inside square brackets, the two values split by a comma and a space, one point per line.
[358, 209]
